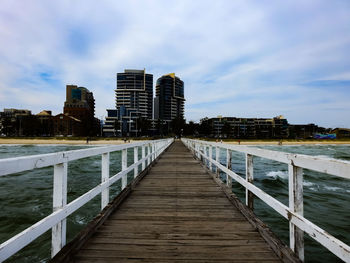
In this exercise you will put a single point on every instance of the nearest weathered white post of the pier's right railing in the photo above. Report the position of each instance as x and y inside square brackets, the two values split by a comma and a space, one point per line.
[296, 235]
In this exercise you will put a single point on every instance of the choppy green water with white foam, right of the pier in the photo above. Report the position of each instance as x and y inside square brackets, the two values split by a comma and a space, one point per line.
[326, 197]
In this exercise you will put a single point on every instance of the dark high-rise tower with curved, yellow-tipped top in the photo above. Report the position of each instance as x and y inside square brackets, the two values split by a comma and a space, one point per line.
[170, 99]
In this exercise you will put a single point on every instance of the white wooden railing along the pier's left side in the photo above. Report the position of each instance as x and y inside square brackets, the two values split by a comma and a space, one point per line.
[61, 210]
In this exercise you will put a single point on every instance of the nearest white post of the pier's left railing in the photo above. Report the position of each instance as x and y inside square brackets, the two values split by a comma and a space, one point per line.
[59, 201]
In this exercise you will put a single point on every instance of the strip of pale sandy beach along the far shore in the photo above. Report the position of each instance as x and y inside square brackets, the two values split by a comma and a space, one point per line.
[4, 141]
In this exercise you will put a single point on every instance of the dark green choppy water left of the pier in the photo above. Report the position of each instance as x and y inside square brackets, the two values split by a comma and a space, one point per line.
[26, 197]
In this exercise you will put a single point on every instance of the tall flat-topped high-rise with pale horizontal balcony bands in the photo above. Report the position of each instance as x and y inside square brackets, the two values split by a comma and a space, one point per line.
[134, 98]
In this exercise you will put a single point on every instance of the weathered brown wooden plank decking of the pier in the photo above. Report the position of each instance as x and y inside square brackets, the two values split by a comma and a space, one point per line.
[177, 213]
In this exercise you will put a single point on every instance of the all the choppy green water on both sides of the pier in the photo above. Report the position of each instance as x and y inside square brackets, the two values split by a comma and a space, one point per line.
[25, 198]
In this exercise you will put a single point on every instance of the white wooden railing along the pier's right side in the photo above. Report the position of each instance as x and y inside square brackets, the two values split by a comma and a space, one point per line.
[298, 224]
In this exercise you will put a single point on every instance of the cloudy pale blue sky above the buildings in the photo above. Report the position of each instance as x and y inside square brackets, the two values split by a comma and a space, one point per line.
[237, 58]
